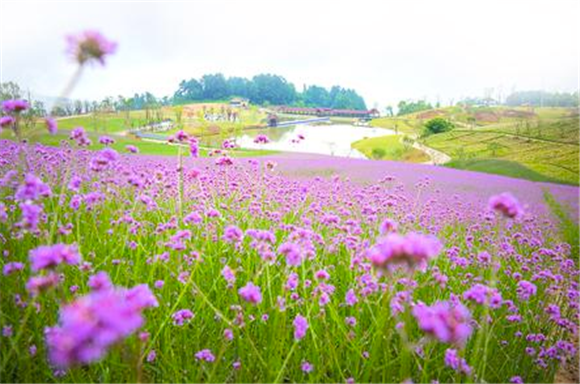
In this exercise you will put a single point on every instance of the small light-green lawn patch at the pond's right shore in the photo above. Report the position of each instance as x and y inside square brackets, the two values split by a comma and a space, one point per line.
[389, 148]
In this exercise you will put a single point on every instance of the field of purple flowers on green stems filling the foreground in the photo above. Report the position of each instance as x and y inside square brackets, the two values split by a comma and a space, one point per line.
[292, 268]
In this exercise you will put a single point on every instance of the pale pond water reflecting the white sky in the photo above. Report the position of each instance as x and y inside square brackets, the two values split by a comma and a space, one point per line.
[333, 139]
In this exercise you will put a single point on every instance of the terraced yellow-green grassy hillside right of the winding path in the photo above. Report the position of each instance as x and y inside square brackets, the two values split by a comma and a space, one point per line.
[537, 144]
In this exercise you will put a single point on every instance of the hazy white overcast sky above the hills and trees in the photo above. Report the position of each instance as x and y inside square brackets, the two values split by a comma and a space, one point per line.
[386, 50]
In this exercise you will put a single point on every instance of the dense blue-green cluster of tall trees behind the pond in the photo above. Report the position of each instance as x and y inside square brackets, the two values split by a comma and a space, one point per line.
[266, 89]
